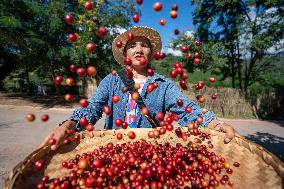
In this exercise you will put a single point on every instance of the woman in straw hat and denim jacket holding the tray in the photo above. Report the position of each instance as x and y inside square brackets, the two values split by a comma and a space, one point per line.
[136, 47]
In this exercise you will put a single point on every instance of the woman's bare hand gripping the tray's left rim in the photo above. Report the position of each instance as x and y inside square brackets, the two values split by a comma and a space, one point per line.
[59, 134]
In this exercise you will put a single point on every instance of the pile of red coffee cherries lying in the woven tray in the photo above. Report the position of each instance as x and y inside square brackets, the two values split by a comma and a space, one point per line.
[146, 164]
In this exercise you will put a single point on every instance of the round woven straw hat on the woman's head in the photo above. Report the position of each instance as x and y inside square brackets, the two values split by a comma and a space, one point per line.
[142, 31]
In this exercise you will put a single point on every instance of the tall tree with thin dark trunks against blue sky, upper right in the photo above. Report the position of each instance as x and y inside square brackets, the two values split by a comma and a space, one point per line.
[246, 29]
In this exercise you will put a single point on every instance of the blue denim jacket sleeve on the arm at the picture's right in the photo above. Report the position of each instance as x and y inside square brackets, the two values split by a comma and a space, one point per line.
[172, 95]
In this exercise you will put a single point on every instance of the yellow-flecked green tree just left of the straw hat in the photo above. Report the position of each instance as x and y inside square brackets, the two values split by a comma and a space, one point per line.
[114, 16]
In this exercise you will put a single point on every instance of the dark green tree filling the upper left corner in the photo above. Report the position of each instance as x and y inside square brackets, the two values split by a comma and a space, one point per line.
[29, 33]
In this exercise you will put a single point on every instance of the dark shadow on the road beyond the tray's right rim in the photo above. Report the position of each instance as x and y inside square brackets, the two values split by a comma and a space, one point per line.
[272, 143]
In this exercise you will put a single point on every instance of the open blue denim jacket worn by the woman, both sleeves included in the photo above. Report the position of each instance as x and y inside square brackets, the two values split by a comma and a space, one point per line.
[163, 98]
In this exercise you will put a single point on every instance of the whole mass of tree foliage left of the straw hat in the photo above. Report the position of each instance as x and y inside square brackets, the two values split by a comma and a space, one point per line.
[33, 36]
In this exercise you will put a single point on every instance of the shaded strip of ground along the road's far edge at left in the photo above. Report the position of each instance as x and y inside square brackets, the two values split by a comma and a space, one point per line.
[45, 101]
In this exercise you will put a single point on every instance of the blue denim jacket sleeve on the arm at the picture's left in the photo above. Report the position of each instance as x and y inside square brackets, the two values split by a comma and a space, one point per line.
[93, 112]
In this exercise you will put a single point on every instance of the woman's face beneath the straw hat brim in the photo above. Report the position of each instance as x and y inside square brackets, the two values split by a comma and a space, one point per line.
[138, 50]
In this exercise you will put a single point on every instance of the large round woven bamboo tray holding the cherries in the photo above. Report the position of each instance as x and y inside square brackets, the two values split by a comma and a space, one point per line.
[259, 168]
